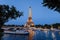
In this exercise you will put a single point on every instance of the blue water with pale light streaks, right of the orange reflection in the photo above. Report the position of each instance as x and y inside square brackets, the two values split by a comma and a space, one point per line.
[47, 35]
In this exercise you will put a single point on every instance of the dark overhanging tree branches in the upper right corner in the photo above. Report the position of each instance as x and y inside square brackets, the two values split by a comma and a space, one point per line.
[52, 4]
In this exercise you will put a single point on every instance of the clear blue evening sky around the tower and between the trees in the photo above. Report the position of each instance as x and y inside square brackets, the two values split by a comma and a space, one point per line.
[40, 14]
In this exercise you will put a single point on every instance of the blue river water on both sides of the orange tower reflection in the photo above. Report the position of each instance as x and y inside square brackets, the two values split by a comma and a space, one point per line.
[38, 35]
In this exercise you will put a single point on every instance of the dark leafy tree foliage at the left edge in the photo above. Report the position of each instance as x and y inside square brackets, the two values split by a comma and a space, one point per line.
[7, 13]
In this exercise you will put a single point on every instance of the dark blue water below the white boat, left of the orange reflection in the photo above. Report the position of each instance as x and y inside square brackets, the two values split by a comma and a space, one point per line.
[15, 37]
